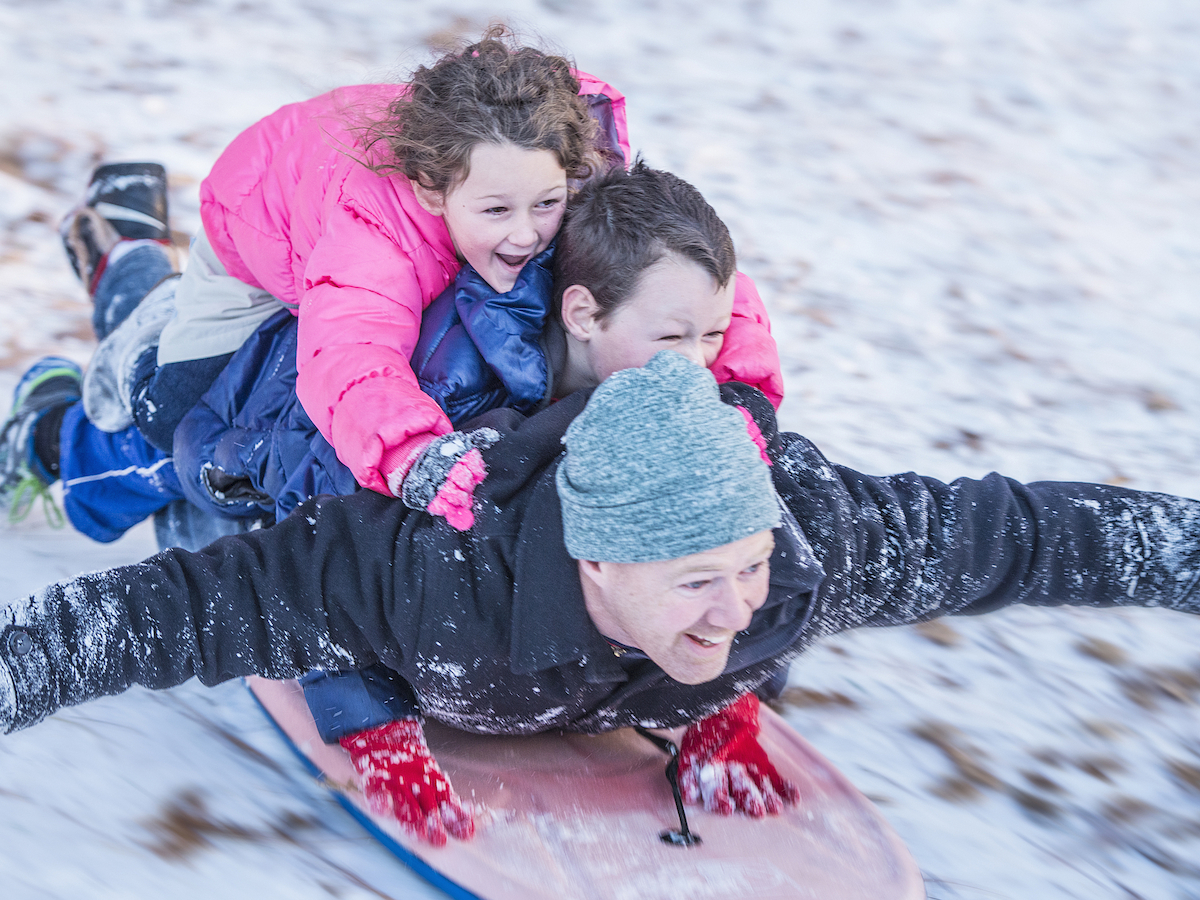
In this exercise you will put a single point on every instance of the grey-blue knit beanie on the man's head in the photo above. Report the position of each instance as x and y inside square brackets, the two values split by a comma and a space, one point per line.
[658, 467]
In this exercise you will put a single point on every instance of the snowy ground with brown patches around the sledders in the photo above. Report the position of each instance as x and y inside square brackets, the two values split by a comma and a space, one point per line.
[977, 229]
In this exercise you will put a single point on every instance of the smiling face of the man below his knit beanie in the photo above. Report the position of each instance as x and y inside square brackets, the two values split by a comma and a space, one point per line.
[682, 614]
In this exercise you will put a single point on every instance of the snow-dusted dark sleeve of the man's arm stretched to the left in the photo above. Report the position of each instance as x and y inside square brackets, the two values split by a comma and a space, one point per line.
[309, 593]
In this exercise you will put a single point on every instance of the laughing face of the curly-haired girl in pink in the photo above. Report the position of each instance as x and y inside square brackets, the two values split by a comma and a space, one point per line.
[505, 213]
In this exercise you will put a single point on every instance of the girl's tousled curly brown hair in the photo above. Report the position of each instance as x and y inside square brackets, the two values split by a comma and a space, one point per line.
[493, 93]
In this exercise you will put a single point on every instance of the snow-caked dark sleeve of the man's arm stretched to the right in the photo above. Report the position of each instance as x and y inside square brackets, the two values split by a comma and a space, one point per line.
[907, 549]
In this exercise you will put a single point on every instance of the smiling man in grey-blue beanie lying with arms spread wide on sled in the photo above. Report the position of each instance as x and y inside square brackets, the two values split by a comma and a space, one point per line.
[653, 574]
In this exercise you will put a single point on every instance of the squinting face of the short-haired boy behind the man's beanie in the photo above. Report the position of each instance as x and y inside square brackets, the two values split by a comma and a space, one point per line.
[676, 305]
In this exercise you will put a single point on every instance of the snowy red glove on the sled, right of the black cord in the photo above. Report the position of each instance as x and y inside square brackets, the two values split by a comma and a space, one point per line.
[723, 766]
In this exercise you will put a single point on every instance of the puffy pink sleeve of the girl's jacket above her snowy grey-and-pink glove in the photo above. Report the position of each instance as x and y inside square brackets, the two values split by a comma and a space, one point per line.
[361, 317]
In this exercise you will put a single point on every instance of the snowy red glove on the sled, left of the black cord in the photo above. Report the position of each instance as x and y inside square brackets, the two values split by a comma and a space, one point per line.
[400, 778]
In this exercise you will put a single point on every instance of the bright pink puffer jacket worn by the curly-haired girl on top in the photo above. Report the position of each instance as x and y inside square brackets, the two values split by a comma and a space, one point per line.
[291, 209]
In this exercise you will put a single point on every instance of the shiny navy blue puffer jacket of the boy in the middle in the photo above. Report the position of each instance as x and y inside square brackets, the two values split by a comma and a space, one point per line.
[249, 448]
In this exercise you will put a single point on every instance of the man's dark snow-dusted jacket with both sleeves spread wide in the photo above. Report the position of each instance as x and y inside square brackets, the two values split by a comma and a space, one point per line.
[490, 627]
